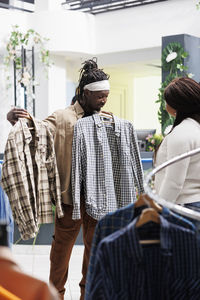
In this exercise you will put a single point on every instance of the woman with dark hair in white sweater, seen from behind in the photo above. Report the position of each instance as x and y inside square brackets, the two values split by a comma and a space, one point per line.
[180, 182]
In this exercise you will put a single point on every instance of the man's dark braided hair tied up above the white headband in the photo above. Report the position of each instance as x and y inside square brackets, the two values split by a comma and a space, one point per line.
[89, 73]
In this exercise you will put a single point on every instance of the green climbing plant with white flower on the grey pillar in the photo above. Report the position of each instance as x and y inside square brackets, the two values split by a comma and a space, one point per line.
[173, 56]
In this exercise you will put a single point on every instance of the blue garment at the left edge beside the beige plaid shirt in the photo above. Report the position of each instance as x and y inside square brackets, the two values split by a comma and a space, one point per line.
[5, 211]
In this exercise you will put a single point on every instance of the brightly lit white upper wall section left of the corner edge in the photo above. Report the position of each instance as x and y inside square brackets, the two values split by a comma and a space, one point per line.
[68, 31]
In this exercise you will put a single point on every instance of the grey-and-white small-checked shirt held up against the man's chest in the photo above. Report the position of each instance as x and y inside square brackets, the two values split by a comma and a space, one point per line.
[106, 164]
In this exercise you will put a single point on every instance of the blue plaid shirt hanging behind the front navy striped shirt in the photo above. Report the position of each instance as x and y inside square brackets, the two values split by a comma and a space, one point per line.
[117, 220]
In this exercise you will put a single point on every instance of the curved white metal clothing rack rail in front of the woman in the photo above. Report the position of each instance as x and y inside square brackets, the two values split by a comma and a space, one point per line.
[152, 194]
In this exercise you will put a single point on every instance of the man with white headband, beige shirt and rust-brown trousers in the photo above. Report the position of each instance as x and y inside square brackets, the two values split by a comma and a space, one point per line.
[92, 93]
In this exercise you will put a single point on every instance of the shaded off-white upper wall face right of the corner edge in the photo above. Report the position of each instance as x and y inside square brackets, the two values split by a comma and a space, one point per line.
[143, 26]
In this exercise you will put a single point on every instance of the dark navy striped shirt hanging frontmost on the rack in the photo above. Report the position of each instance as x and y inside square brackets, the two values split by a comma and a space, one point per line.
[125, 269]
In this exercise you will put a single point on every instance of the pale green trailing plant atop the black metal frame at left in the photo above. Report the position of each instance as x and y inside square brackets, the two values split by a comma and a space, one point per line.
[27, 40]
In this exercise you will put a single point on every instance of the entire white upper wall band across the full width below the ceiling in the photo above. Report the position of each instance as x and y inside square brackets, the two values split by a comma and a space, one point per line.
[123, 30]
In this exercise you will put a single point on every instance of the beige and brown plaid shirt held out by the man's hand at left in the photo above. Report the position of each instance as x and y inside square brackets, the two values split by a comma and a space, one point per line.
[30, 177]
